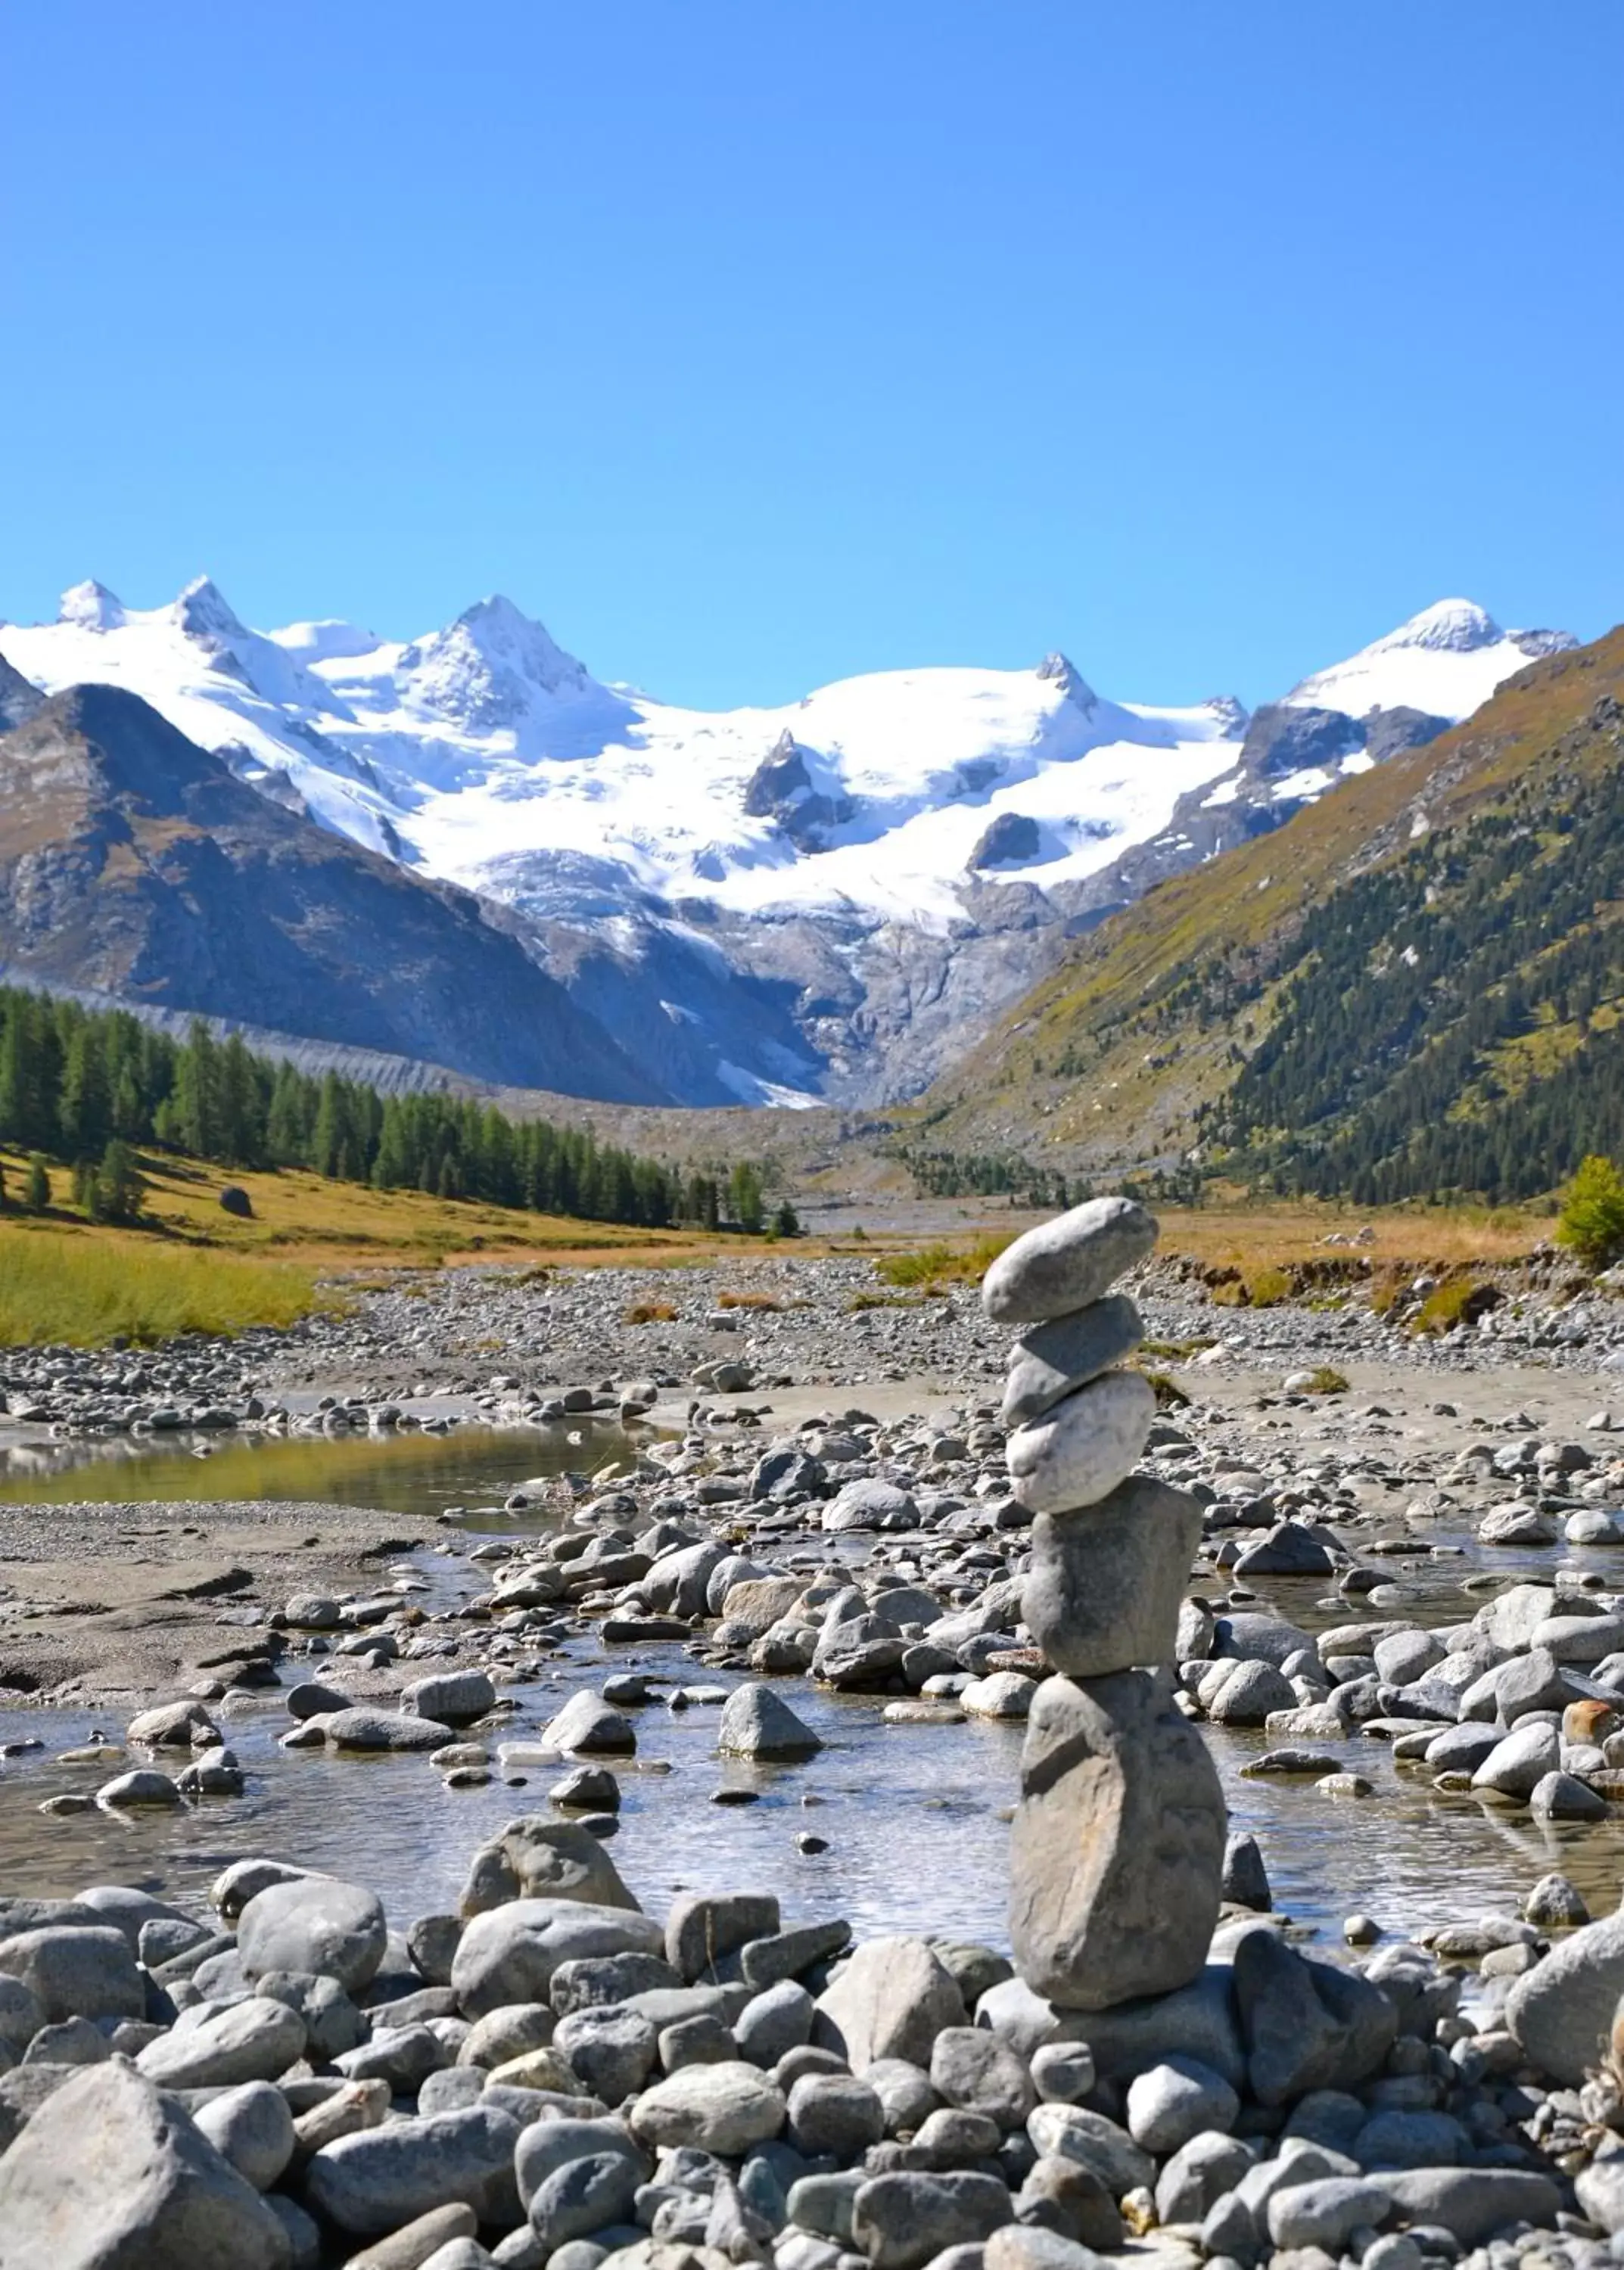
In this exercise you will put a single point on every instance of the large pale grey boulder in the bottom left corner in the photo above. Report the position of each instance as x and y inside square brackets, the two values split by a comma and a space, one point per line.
[108, 2174]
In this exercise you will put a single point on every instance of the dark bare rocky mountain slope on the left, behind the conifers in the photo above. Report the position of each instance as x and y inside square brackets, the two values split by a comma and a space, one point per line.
[137, 866]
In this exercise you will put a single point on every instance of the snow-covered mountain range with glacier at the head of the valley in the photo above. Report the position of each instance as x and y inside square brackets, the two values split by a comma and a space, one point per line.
[776, 902]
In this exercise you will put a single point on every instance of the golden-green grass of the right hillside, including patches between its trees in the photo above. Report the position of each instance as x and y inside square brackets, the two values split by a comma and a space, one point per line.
[1130, 1052]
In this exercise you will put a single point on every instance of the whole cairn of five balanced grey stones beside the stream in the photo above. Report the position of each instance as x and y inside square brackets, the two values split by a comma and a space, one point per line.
[1119, 1840]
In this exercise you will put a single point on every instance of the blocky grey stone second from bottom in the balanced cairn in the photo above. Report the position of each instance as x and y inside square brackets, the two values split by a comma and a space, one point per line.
[1105, 1583]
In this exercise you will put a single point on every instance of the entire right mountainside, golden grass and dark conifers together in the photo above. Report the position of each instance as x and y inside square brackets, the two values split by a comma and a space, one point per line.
[1416, 984]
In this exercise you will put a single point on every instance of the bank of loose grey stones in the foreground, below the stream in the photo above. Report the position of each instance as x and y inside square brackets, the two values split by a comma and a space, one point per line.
[555, 2080]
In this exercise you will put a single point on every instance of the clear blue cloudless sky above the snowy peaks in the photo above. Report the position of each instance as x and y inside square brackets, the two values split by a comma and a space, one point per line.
[760, 344]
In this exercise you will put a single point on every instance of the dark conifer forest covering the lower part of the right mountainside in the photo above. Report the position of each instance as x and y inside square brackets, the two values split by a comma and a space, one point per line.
[1453, 1023]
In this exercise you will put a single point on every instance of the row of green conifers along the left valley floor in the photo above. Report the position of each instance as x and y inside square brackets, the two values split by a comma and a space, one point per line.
[76, 1084]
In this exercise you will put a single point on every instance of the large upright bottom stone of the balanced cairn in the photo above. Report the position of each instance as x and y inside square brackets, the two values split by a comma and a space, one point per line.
[1119, 1844]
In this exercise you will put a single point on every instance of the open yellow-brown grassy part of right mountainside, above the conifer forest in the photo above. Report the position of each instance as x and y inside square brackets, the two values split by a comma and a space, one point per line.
[1125, 1054]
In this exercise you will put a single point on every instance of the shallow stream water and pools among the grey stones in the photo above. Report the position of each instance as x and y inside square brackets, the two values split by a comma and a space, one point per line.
[910, 1813]
